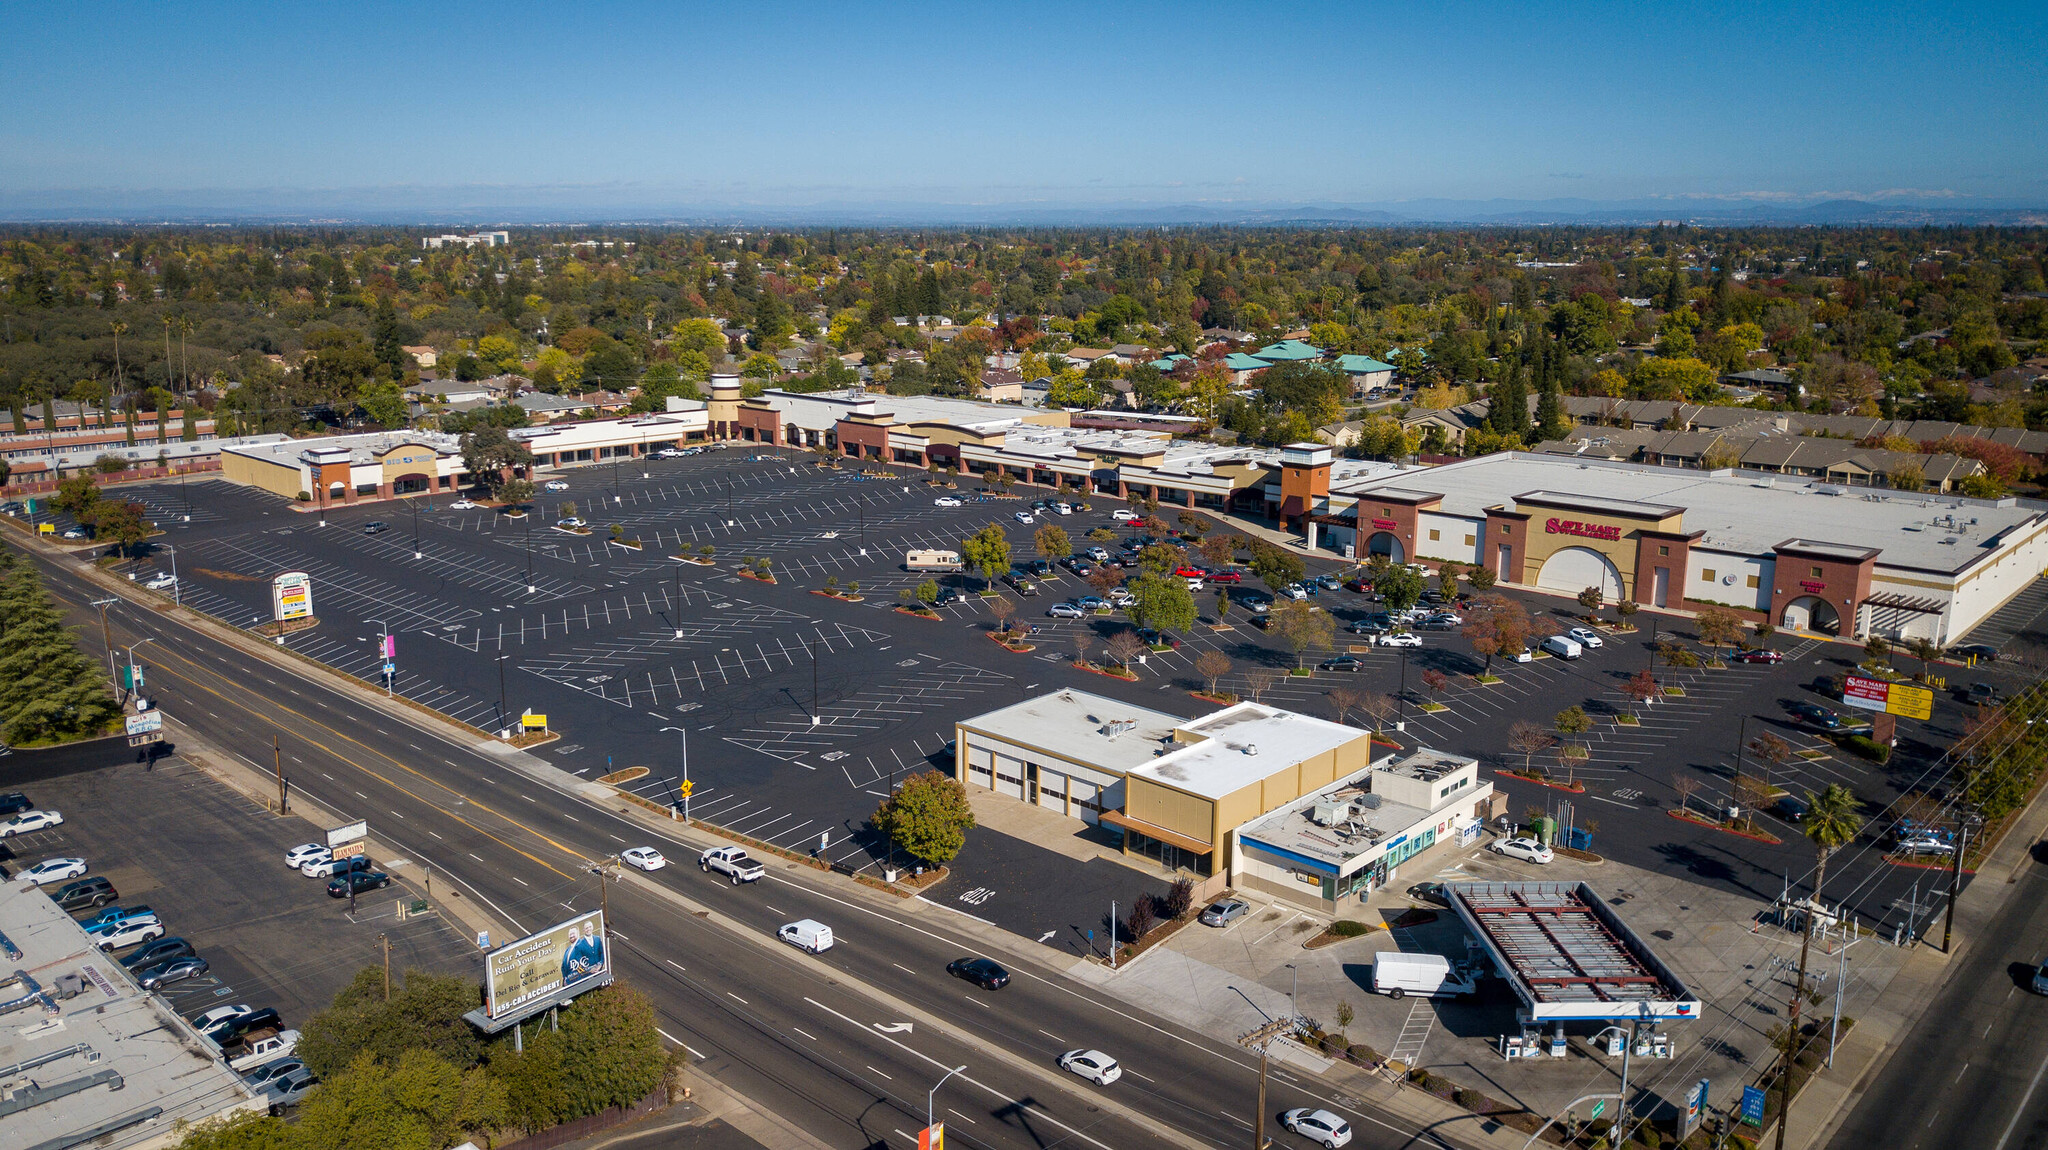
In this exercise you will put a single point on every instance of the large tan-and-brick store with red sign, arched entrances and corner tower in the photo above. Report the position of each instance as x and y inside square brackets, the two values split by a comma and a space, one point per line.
[1799, 554]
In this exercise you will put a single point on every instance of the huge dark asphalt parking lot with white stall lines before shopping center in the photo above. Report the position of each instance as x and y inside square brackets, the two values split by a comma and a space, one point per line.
[798, 711]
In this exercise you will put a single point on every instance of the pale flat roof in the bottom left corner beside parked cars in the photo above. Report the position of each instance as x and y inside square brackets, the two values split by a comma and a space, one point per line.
[136, 1069]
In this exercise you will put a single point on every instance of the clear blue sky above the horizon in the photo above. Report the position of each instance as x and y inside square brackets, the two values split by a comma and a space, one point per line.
[1031, 103]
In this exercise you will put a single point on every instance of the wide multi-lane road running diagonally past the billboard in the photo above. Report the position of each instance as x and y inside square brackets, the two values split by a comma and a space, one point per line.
[841, 1045]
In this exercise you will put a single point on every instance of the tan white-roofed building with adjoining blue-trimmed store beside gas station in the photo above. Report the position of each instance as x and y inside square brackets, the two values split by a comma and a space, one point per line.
[1220, 795]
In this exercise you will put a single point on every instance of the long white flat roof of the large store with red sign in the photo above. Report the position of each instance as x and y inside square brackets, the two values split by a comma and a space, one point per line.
[1742, 513]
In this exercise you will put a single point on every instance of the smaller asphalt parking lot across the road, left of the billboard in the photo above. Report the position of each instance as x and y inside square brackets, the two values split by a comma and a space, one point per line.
[212, 865]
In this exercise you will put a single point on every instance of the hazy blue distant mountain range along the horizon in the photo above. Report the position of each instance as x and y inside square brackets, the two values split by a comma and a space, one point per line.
[568, 206]
